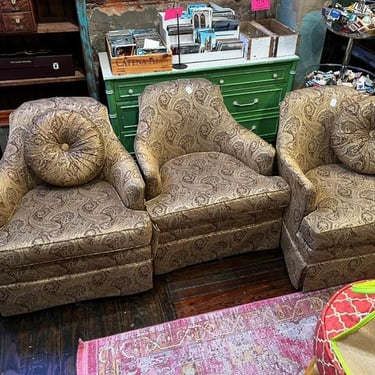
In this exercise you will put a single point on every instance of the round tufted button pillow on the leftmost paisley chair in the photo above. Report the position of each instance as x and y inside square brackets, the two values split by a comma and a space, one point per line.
[64, 148]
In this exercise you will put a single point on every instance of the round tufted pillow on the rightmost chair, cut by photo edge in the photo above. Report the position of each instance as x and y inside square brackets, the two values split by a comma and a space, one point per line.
[353, 136]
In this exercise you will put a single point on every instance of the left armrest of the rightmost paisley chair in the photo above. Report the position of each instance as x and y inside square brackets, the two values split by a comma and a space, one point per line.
[303, 192]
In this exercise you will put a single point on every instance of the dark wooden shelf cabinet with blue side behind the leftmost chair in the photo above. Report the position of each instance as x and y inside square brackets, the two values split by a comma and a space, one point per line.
[41, 28]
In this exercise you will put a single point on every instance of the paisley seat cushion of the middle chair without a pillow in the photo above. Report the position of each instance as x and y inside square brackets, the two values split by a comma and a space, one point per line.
[211, 189]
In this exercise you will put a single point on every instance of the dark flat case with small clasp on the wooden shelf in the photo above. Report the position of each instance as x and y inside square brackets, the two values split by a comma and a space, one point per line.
[27, 67]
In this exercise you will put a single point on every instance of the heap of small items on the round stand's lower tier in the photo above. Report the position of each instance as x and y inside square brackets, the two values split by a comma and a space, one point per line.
[361, 81]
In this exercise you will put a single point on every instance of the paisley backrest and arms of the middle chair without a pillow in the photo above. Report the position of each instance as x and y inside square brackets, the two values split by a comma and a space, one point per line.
[187, 116]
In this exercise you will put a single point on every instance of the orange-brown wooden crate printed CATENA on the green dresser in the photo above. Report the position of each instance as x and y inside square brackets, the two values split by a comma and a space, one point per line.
[134, 64]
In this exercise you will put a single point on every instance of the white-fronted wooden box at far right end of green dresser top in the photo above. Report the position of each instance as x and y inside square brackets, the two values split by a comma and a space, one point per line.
[285, 39]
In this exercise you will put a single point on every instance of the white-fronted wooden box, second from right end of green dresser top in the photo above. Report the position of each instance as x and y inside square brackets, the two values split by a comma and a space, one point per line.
[257, 44]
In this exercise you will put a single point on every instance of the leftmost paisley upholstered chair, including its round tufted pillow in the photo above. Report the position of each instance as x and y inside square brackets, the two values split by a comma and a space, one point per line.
[72, 220]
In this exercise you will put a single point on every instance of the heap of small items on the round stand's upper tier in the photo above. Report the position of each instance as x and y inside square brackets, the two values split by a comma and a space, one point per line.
[357, 19]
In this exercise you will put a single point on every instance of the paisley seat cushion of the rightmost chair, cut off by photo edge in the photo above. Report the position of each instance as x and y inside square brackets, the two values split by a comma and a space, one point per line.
[345, 213]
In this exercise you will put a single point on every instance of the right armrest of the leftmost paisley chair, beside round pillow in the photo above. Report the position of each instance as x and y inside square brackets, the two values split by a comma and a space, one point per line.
[123, 173]
